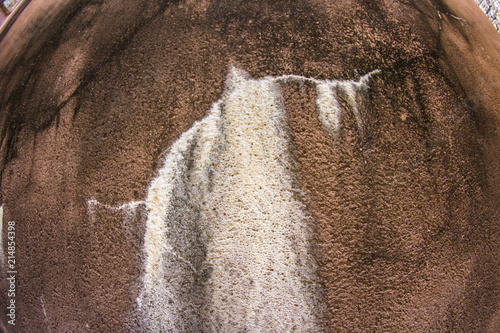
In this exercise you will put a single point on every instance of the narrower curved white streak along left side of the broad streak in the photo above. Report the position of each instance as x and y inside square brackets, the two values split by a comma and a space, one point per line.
[172, 240]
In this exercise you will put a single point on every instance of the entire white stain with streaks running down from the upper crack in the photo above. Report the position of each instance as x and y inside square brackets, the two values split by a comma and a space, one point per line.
[227, 240]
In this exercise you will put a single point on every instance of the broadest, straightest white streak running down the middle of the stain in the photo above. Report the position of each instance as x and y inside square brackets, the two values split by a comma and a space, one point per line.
[263, 278]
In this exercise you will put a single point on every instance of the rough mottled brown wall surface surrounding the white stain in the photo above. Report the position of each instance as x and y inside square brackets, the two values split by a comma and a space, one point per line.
[92, 94]
